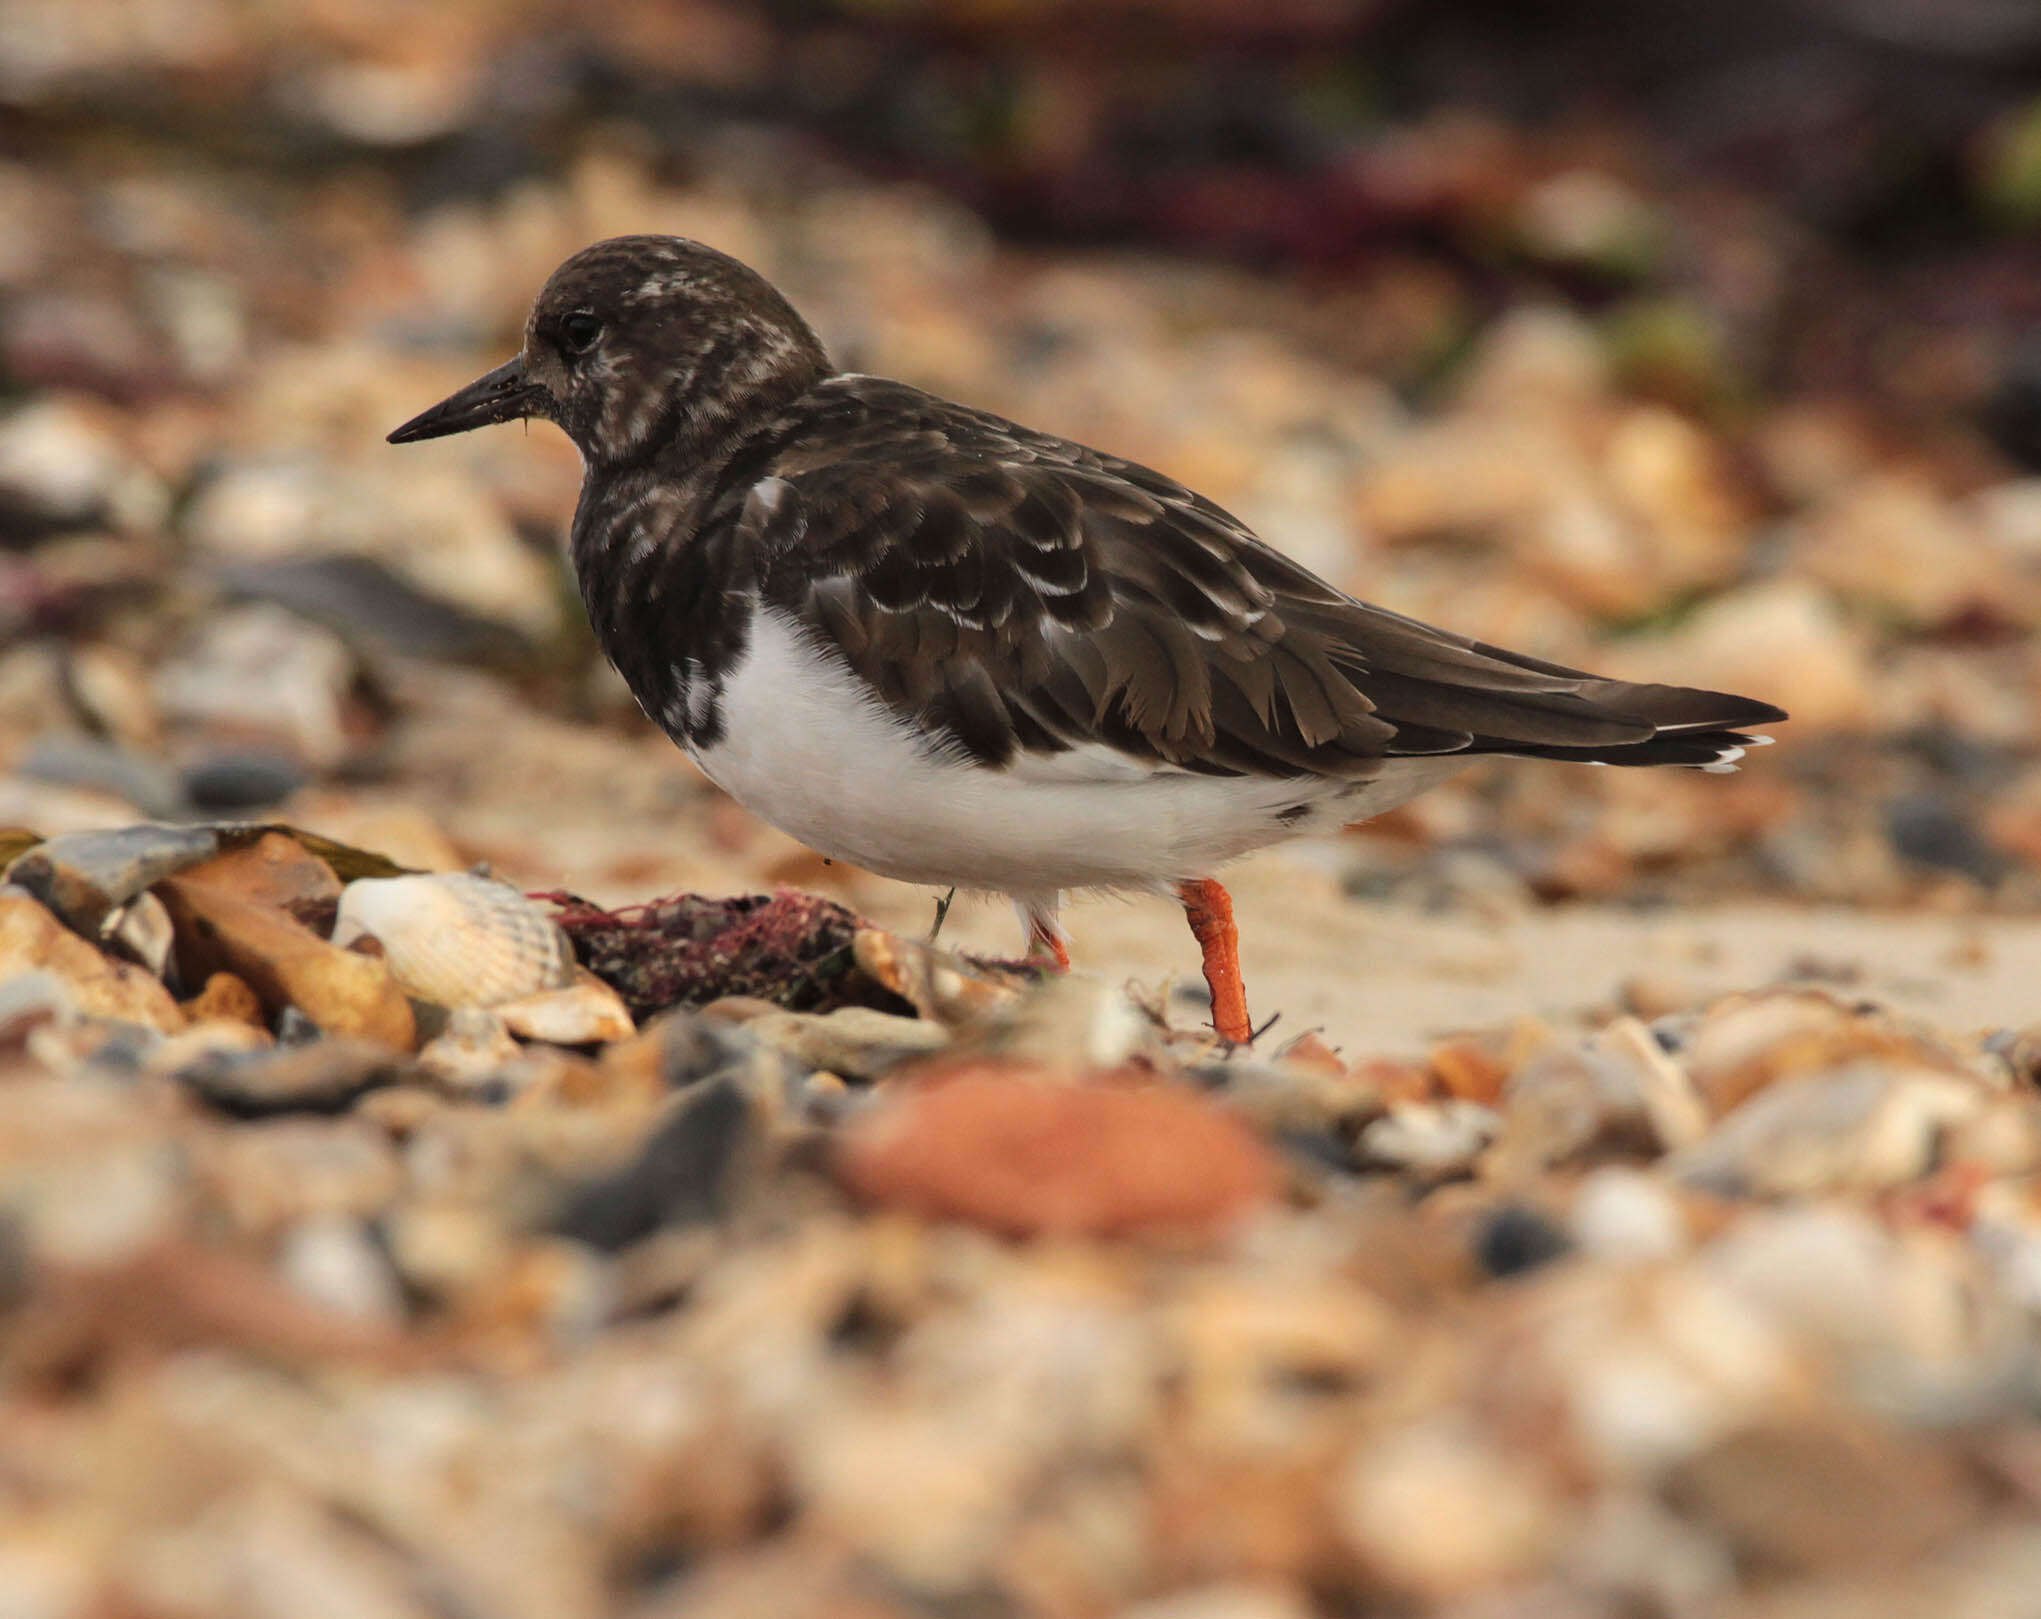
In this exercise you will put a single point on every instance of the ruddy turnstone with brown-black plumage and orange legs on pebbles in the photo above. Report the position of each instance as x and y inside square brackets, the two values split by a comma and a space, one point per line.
[960, 652]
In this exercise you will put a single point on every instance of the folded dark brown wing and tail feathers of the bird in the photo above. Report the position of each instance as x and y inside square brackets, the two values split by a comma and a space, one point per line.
[1019, 593]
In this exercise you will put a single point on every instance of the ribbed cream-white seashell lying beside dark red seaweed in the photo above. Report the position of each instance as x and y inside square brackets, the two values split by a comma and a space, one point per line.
[456, 940]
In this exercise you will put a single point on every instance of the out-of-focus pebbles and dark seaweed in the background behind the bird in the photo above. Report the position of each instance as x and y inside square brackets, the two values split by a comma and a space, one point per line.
[1679, 340]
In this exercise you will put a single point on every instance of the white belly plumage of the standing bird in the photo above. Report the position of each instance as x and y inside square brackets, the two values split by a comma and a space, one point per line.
[807, 748]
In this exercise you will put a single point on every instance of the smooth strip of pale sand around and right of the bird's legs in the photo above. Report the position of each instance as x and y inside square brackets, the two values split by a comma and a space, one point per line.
[1387, 977]
